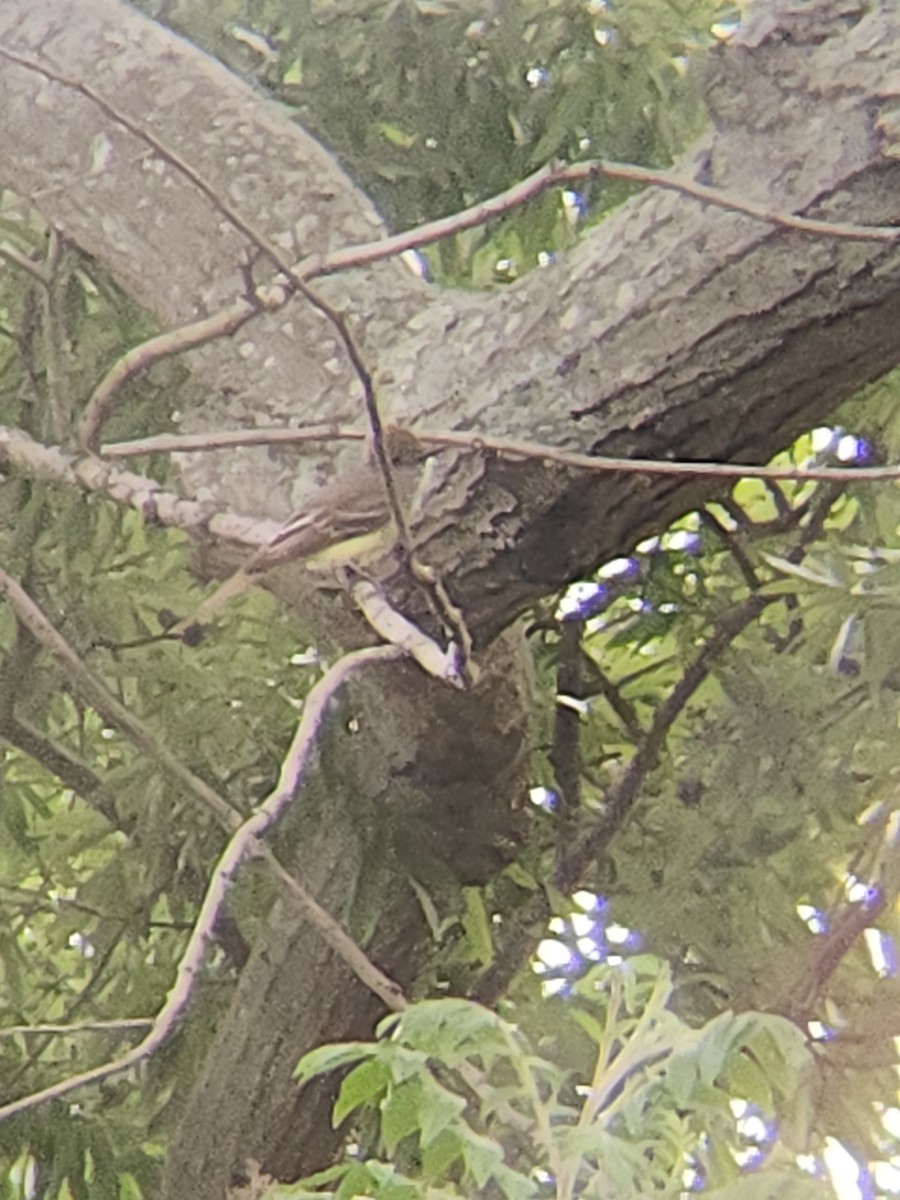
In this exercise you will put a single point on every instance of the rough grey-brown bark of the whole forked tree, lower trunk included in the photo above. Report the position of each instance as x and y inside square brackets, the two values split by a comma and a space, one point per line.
[674, 331]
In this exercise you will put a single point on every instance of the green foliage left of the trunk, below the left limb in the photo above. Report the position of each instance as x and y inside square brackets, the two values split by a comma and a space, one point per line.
[104, 859]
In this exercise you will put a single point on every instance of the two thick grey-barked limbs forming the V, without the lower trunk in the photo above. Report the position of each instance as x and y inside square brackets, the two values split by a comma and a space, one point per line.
[673, 329]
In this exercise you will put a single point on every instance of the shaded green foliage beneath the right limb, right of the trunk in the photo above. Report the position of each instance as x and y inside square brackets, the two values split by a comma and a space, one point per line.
[777, 791]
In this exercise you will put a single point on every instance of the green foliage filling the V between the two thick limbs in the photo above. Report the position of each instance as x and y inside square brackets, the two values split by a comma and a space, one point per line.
[453, 103]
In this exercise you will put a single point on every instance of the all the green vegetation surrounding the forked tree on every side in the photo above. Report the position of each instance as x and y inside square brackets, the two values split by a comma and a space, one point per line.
[763, 845]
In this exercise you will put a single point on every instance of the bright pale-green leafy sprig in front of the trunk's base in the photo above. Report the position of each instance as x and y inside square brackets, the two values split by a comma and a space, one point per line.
[465, 1100]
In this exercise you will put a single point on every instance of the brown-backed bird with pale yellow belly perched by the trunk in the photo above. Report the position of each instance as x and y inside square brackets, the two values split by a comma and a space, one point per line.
[346, 520]
